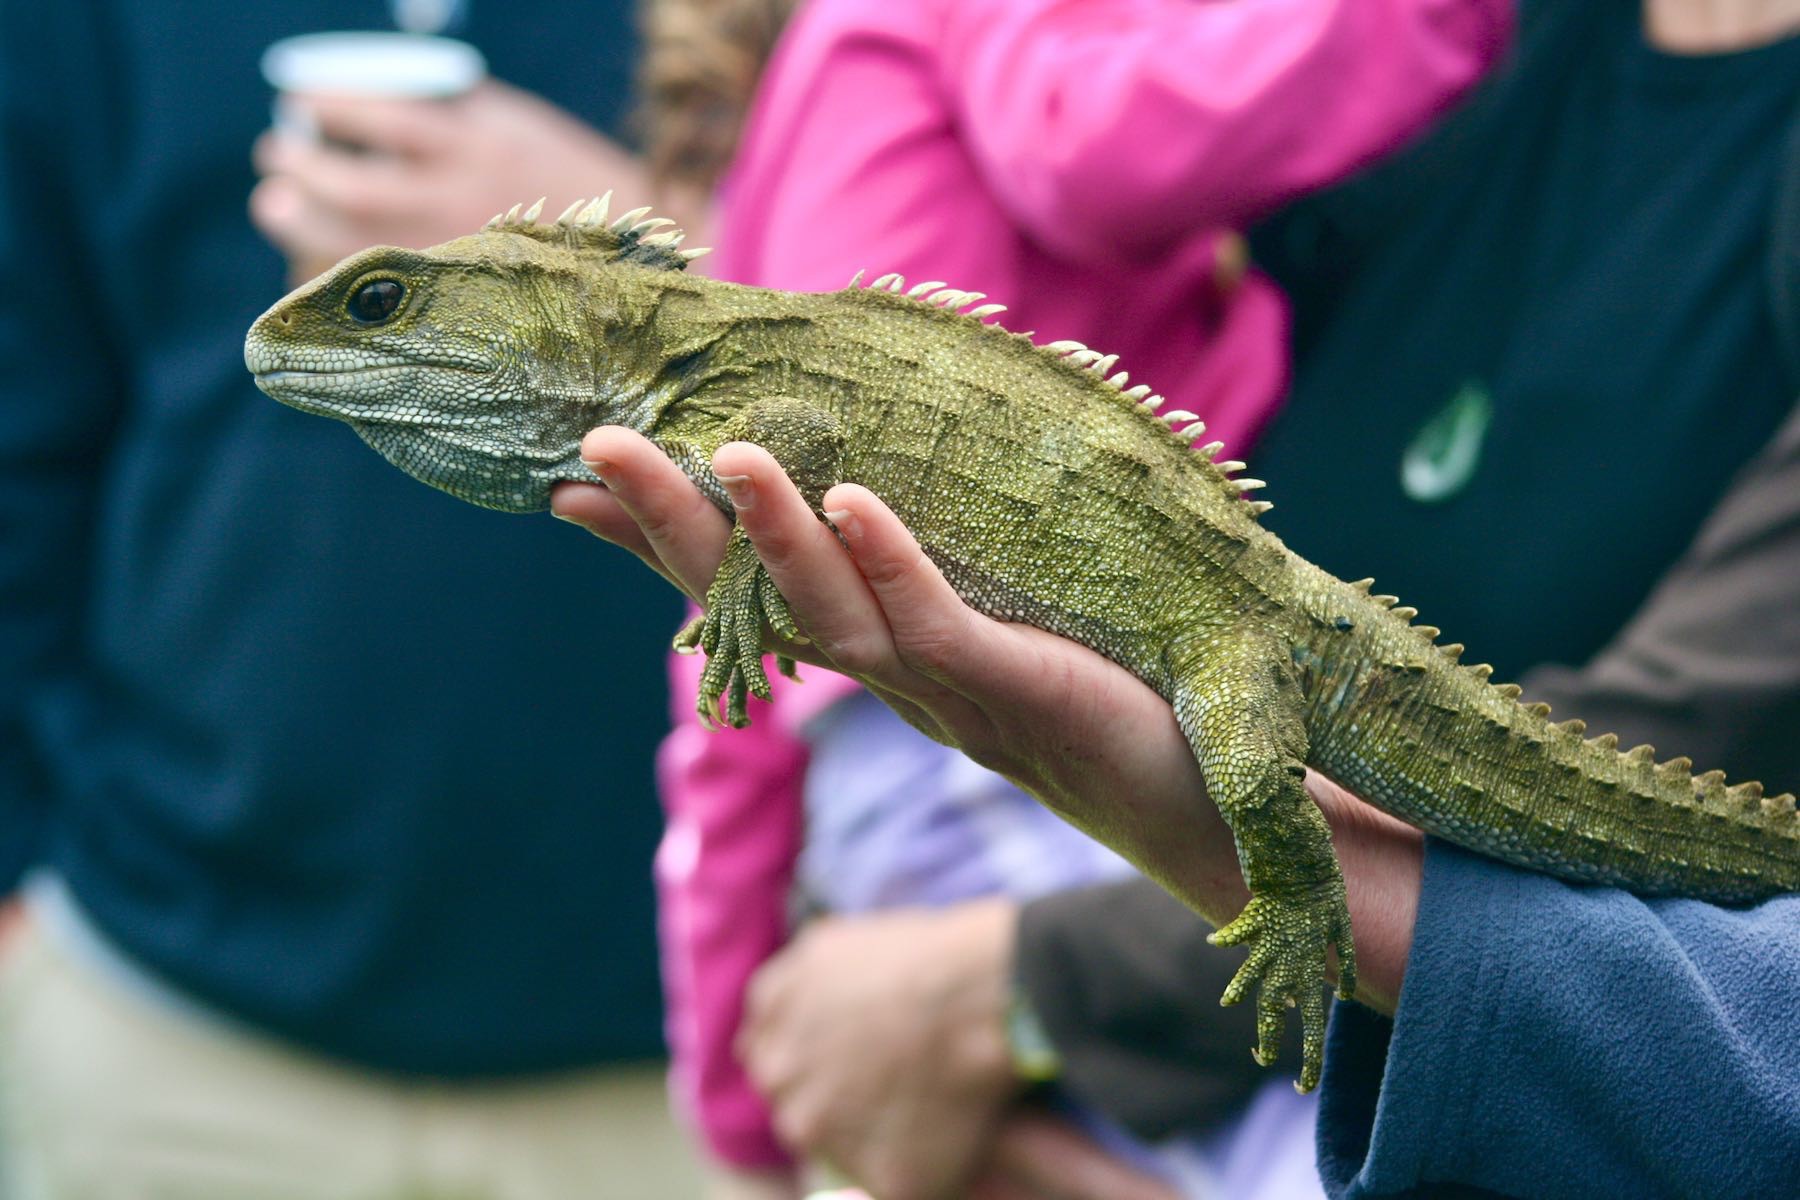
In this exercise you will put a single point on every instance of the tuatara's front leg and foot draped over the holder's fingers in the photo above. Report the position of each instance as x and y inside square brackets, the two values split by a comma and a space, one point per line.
[742, 602]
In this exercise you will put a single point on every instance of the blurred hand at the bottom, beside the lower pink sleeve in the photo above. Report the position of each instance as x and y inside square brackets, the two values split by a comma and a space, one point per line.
[881, 1044]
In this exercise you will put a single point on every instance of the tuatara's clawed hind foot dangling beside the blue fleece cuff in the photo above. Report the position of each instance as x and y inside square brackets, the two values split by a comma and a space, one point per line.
[1288, 936]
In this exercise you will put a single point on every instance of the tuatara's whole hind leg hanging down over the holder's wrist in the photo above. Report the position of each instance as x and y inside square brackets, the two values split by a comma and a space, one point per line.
[1239, 706]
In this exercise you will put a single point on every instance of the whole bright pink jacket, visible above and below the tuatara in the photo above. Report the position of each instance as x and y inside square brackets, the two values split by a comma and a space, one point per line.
[1084, 163]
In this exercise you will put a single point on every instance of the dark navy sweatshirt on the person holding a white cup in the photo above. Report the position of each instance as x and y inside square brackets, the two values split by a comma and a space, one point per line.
[327, 751]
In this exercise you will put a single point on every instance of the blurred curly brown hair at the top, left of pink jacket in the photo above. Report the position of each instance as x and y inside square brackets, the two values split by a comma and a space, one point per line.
[697, 76]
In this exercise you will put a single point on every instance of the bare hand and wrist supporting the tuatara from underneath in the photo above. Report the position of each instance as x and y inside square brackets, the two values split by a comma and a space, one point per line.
[1072, 728]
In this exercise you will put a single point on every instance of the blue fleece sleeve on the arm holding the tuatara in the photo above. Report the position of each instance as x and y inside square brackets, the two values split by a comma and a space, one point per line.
[1560, 1041]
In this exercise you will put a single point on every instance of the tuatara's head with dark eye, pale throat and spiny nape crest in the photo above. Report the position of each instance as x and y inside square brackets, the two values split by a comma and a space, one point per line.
[472, 366]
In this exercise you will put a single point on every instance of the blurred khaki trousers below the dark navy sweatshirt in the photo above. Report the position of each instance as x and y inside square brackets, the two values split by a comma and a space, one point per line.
[105, 1097]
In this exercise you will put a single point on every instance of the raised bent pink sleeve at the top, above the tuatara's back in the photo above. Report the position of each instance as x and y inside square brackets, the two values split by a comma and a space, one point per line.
[1108, 125]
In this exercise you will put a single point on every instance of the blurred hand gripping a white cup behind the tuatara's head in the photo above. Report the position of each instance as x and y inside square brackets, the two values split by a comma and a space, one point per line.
[426, 172]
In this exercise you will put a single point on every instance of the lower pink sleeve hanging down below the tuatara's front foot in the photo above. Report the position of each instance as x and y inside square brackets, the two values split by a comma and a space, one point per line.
[733, 810]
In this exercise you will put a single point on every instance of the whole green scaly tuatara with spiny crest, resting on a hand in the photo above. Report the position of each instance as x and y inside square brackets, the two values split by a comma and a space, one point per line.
[1048, 494]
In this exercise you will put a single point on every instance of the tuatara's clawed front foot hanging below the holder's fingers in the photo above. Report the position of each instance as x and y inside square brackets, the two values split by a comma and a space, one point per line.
[741, 604]
